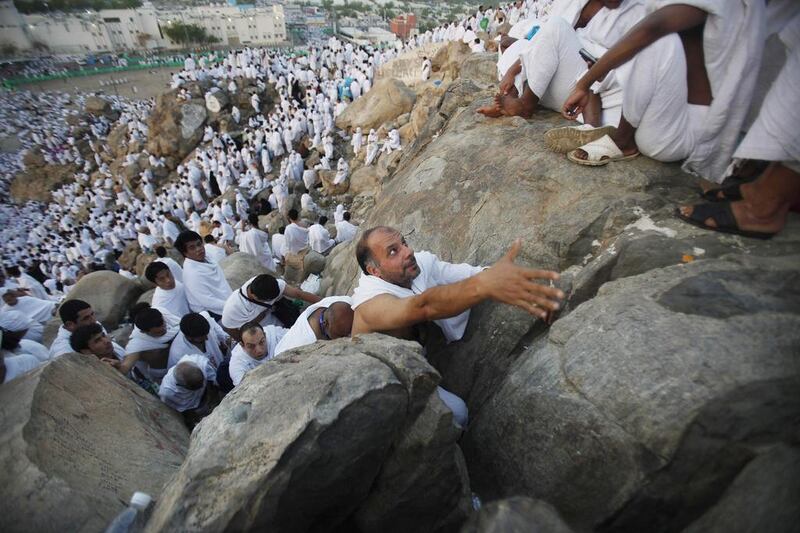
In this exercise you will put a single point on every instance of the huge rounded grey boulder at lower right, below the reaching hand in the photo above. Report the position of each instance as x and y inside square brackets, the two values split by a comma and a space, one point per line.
[602, 404]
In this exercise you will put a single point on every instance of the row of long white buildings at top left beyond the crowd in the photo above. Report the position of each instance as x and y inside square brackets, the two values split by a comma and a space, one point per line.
[118, 30]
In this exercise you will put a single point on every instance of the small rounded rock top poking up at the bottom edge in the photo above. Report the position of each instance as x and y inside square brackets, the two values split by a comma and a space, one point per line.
[516, 515]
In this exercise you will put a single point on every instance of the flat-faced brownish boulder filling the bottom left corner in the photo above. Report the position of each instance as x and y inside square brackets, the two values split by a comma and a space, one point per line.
[77, 440]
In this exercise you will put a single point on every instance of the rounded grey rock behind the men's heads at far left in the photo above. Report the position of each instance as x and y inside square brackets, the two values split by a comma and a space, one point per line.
[109, 294]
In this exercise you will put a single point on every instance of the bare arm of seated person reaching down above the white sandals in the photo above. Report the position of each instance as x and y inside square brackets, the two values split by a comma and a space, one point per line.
[669, 19]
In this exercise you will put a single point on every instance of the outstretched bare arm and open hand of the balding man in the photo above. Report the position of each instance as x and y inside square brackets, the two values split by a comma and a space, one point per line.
[504, 282]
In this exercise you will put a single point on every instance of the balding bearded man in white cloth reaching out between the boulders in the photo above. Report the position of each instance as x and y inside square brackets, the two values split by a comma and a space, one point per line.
[398, 290]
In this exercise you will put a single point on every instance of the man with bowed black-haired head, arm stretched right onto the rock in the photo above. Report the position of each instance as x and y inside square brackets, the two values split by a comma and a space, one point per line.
[263, 299]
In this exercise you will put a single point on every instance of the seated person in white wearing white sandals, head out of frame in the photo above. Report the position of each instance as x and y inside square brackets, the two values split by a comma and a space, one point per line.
[689, 68]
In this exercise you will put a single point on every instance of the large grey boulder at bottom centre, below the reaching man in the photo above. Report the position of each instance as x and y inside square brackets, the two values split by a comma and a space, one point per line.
[341, 432]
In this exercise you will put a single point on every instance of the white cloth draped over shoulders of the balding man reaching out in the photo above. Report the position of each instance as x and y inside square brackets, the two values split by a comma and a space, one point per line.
[433, 272]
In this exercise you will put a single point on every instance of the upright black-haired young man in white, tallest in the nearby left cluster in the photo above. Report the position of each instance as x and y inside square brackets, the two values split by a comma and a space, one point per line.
[205, 284]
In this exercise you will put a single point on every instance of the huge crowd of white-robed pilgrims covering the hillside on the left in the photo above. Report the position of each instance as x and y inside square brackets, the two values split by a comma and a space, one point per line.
[198, 324]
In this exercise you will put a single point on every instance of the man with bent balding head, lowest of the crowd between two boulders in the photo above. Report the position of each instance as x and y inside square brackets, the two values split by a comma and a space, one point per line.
[190, 388]
